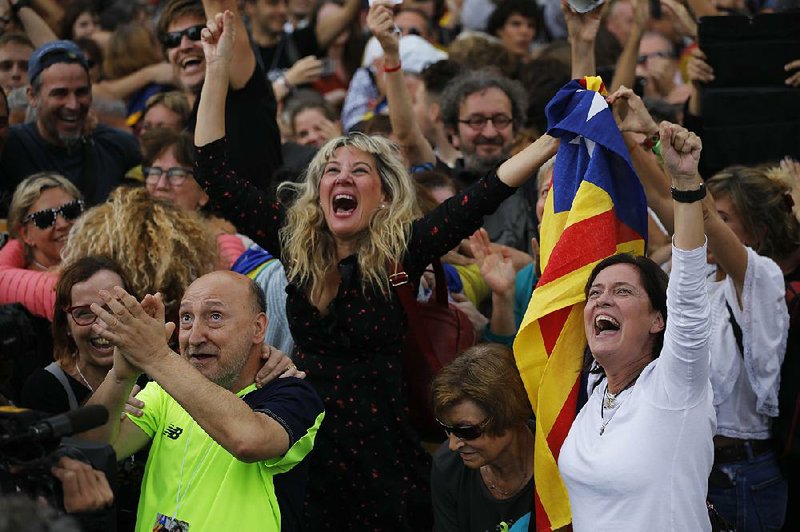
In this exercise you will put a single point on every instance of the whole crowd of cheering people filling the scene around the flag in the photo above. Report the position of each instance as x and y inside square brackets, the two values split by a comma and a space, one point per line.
[210, 207]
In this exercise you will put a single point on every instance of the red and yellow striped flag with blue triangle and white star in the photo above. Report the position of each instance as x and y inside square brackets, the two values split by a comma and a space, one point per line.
[596, 208]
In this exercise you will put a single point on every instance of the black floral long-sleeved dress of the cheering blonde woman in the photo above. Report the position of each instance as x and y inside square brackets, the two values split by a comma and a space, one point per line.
[368, 470]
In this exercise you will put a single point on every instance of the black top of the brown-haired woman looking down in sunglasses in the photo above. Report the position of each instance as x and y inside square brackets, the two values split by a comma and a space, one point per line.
[463, 503]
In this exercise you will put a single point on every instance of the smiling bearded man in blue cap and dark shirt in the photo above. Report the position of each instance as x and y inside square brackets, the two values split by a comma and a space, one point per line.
[94, 158]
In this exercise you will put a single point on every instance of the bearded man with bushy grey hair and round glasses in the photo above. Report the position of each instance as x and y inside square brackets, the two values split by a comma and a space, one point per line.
[482, 111]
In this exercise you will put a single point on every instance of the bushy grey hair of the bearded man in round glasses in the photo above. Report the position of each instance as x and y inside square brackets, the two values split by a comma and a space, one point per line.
[474, 81]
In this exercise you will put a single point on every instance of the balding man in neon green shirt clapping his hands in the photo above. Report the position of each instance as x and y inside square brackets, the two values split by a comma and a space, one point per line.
[217, 440]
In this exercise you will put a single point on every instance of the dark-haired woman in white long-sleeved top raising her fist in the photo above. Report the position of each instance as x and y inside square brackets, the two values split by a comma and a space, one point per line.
[639, 452]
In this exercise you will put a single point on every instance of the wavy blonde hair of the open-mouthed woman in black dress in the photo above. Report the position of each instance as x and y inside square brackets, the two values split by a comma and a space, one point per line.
[308, 245]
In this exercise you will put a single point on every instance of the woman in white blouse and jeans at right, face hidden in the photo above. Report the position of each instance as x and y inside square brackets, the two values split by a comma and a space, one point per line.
[749, 223]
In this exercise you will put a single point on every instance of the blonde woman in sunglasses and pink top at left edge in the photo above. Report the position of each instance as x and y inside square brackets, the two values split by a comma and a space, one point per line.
[42, 211]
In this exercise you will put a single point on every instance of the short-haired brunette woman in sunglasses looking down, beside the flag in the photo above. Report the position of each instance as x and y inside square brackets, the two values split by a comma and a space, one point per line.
[482, 476]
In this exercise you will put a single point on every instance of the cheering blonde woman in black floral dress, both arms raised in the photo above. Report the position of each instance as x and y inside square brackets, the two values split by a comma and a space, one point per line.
[353, 214]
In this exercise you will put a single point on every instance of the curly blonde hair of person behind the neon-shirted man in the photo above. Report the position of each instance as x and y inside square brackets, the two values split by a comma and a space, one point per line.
[159, 247]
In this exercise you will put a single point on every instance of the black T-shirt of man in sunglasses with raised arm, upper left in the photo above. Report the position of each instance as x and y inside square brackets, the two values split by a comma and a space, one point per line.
[255, 141]
